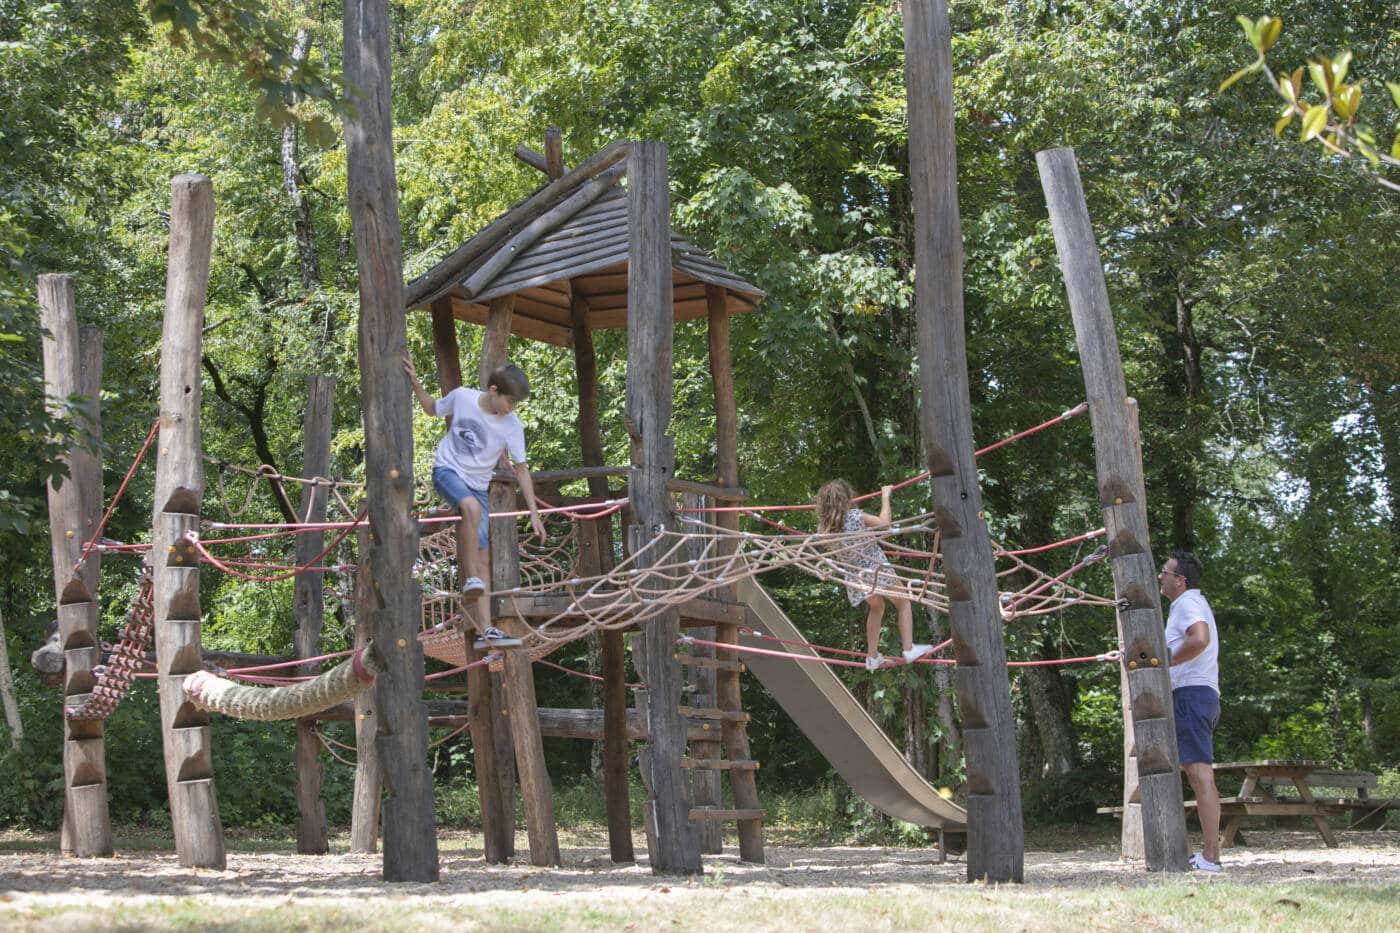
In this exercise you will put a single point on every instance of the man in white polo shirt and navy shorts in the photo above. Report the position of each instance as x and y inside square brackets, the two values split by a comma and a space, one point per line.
[1193, 649]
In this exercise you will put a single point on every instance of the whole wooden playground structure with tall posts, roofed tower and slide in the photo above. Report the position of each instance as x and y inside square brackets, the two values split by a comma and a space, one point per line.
[573, 257]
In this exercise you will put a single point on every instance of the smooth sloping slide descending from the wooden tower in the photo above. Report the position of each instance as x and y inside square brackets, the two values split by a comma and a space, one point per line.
[838, 725]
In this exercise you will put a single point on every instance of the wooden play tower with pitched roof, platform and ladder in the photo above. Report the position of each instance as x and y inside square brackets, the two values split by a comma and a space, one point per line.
[587, 253]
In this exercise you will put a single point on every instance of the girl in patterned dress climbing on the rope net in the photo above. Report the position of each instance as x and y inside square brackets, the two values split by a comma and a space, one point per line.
[835, 513]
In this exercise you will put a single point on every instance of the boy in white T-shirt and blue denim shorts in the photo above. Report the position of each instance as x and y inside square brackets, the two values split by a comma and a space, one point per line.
[482, 428]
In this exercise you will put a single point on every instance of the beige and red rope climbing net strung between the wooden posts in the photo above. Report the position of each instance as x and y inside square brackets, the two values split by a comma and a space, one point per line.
[677, 567]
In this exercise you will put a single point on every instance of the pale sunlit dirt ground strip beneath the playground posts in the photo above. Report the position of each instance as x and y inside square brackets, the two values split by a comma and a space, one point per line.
[36, 878]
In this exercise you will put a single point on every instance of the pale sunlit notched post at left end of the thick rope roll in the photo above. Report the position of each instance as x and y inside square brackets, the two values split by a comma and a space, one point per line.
[180, 487]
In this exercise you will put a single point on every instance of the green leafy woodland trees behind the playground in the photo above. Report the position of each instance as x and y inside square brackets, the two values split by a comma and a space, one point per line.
[1255, 289]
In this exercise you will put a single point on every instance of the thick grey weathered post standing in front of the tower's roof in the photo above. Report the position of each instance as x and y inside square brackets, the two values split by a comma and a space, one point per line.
[650, 330]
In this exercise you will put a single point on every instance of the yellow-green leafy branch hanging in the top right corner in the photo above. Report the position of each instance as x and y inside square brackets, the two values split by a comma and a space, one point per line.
[1333, 123]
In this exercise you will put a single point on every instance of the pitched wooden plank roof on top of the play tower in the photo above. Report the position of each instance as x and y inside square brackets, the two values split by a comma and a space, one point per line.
[569, 237]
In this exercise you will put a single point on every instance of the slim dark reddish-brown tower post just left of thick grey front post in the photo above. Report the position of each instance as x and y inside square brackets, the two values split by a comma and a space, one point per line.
[596, 548]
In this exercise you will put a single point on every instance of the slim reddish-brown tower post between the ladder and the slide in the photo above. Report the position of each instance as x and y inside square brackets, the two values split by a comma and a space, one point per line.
[729, 687]
